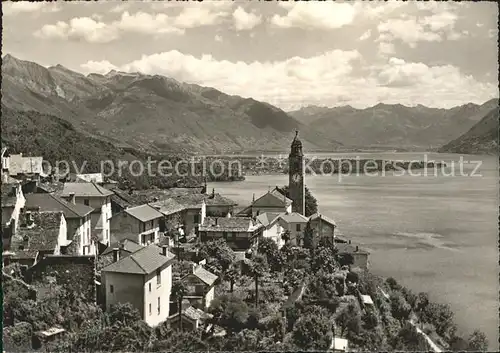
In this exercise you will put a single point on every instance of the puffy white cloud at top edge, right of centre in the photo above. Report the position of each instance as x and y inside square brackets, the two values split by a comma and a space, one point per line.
[324, 15]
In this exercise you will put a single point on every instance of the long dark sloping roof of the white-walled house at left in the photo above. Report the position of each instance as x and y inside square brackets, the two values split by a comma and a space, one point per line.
[50, 202]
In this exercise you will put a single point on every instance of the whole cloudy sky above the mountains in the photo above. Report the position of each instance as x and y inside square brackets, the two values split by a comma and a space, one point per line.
[290, 54]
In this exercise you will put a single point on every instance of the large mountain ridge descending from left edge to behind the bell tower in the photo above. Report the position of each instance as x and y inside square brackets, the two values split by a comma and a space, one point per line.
[152, 112]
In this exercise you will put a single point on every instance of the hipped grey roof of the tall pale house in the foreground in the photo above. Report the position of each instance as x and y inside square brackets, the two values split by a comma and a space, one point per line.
[143, 261]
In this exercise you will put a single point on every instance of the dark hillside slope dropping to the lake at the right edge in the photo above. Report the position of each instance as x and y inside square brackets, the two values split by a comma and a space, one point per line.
[482, 138]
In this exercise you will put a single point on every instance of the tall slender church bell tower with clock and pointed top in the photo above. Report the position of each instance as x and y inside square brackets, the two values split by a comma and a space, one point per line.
[296, 174]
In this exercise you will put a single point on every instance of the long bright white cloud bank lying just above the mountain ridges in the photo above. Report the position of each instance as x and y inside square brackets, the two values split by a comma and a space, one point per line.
[327, 79]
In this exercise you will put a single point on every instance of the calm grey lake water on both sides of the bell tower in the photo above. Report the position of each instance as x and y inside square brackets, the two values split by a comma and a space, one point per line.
[437, 234]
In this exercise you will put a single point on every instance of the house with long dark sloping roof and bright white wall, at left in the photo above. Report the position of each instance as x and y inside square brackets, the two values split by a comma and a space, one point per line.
[77, 218]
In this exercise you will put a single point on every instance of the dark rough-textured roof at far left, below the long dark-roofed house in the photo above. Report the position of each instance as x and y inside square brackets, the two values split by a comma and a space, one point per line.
[43, 235]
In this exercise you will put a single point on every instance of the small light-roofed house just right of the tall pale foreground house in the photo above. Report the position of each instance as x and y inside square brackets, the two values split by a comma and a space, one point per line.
[200, 287]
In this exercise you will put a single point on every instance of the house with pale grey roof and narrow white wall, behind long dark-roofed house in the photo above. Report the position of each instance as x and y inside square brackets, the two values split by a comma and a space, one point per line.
[97, 197]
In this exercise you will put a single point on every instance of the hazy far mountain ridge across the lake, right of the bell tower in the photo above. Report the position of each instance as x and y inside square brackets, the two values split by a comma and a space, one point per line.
[394, 125]
